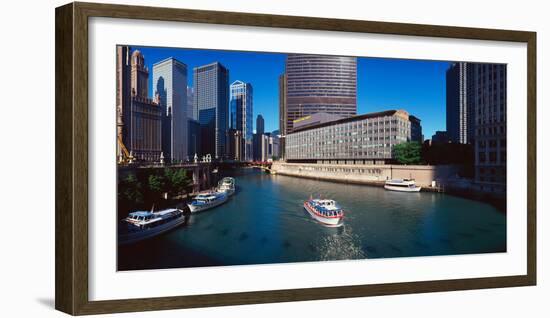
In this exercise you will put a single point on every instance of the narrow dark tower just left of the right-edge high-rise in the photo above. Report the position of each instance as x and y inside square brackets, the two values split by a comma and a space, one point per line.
[460, 112]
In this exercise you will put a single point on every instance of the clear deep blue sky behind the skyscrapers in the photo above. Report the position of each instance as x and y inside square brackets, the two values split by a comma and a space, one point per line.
[414, 85]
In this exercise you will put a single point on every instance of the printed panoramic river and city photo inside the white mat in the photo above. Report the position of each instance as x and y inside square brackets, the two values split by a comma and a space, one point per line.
[176, 161]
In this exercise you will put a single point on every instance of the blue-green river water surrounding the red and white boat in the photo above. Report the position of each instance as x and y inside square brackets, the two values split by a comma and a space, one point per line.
[264, 222]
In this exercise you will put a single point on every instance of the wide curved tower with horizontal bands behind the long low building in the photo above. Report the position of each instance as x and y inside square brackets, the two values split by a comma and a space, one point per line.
[319, 83]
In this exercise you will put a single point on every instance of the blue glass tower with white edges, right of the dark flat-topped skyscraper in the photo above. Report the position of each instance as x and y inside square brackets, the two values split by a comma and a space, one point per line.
[241, 114]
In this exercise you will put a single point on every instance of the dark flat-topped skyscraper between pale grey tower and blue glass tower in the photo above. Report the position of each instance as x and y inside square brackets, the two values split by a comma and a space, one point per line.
[212, 99]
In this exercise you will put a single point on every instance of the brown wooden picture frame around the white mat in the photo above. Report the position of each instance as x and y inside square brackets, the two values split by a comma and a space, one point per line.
[71, 124]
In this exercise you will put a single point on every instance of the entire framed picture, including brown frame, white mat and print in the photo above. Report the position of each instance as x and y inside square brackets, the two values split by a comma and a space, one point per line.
[210, 158]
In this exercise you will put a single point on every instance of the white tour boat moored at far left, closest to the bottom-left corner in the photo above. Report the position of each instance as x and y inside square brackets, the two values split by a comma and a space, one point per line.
[141, 225]
